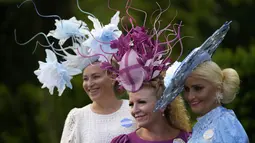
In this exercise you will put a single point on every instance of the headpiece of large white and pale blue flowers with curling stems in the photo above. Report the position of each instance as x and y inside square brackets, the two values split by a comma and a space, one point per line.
[86, 46]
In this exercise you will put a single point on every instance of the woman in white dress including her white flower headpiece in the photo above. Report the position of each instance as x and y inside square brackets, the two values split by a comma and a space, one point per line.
[106, 117]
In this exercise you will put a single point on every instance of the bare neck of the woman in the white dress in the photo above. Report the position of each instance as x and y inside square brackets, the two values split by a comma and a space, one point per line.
[106, 106]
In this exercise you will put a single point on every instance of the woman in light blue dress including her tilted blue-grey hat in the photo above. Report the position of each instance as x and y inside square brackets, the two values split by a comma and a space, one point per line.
[206, 88]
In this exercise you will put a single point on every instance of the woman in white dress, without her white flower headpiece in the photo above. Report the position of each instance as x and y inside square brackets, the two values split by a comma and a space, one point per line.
[103, 119]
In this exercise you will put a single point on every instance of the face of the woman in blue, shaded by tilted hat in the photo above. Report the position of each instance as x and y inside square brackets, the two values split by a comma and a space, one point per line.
[200, 94]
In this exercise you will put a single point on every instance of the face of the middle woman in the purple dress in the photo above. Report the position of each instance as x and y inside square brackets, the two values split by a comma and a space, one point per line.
[142, 104]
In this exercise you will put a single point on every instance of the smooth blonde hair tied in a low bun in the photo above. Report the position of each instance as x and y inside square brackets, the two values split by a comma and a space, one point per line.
[227, 80]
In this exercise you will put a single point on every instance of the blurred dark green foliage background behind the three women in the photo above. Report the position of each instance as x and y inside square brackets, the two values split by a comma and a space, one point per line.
[30, 114]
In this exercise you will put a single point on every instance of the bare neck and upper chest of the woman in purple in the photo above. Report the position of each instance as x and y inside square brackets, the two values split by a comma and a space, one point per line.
[160, 131]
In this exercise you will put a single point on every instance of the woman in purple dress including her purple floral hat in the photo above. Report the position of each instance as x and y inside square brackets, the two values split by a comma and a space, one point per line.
[139, 64]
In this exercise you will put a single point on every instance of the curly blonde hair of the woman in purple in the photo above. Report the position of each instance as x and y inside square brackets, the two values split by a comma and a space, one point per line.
[176, 112]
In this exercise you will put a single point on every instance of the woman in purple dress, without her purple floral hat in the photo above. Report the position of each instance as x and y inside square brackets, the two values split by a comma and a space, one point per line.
[169, 126]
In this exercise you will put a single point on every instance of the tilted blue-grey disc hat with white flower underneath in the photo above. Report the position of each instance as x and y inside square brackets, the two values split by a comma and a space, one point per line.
[177, 74]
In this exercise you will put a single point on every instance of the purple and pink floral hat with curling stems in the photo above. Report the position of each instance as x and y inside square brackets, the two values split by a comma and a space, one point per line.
[141, 56]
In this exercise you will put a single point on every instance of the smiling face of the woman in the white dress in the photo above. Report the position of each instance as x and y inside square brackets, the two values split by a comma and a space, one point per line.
[96, 82]
